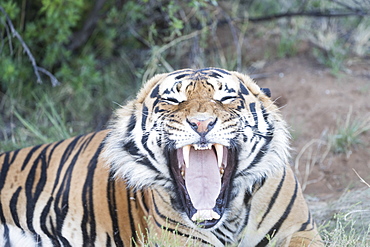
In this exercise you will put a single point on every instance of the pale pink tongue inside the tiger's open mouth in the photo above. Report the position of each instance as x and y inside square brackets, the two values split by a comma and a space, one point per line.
[202, 178]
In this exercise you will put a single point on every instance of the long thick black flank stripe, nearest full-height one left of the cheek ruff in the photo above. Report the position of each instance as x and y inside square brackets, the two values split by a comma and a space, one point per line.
[88, 220]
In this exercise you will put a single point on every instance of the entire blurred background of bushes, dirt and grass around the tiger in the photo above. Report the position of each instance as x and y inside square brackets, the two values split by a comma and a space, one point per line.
[65, 65]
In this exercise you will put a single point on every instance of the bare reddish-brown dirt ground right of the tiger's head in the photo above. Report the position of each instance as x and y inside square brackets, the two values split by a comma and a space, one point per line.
[313, 101]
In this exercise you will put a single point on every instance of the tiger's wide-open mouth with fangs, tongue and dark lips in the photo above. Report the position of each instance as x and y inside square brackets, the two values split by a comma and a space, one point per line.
[203, 179]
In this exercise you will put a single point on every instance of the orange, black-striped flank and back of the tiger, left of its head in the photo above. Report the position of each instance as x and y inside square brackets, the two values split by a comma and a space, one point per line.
[53, 192]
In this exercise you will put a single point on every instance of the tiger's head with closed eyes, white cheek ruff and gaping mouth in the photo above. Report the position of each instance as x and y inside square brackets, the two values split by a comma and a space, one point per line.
[206, 136]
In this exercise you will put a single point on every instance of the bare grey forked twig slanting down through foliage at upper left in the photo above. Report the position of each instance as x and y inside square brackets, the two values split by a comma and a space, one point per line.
[36, 68]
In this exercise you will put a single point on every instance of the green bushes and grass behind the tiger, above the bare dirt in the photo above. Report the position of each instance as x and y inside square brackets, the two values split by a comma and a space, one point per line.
[133, 40]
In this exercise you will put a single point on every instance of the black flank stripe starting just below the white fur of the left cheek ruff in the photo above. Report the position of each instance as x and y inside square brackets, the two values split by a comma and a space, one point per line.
[111, 194]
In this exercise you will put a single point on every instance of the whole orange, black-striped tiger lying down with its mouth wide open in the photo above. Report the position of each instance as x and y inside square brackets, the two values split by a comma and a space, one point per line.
[201, 155]
